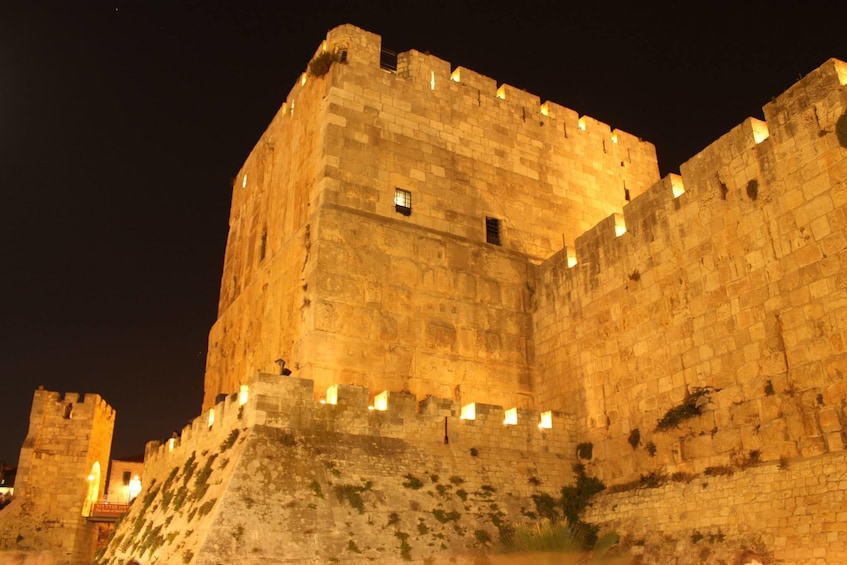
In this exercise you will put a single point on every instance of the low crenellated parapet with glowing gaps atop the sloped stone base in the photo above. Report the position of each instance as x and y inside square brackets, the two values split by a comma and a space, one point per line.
[289, 403]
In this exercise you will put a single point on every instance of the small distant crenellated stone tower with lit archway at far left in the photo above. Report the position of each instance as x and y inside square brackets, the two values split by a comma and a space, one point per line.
[61, 474]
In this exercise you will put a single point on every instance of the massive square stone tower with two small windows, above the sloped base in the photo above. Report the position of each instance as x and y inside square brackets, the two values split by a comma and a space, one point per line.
[385, 229]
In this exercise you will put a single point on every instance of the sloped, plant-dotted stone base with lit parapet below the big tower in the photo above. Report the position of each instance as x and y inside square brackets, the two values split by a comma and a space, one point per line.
[284, 479]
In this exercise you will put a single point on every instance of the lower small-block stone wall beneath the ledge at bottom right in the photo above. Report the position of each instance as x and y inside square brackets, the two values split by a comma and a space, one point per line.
[772, 512]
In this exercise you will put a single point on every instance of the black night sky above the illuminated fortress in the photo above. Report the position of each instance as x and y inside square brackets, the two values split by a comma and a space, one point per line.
[122, 123]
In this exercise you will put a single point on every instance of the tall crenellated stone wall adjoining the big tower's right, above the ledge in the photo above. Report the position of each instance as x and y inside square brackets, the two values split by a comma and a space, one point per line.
[737, 283]
